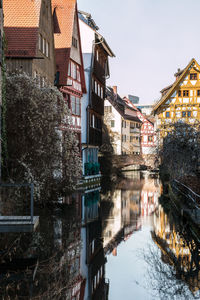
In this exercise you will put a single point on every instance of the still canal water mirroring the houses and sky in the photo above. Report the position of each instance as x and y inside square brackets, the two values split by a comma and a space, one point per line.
[122, 241]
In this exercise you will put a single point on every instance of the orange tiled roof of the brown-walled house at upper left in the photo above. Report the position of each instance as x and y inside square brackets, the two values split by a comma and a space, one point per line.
[21, 23]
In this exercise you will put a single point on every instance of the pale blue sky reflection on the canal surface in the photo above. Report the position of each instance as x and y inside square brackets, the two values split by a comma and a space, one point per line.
[128, 271]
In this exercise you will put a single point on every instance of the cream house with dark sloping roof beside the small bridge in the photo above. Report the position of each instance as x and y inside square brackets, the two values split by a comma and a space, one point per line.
[123, 127]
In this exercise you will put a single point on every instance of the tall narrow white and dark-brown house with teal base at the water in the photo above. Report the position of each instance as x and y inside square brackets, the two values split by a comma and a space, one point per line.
[95, 54]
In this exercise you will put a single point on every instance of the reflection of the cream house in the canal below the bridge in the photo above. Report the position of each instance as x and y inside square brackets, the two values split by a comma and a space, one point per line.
[124, 215]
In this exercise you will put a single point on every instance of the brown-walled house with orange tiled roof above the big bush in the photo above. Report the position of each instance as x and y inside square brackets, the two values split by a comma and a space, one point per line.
[28, 27]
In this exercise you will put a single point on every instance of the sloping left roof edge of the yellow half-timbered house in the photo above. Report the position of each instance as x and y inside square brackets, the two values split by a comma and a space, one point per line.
[174, 86]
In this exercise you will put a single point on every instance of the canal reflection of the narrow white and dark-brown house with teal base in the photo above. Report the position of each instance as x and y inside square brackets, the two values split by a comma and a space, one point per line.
[92, 254]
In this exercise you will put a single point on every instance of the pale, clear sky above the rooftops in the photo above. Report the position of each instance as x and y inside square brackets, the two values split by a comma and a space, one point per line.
[151, 40]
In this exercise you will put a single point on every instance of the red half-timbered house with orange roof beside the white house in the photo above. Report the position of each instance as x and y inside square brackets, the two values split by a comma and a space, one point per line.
[69, 61]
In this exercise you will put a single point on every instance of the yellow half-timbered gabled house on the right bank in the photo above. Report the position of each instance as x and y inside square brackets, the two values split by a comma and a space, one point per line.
[180, 102]
